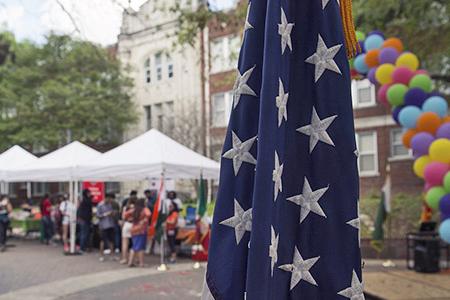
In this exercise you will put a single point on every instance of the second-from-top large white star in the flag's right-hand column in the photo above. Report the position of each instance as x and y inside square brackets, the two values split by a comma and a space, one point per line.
[317, 130]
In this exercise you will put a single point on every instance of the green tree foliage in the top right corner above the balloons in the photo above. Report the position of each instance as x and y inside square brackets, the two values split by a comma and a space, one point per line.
[423, 26]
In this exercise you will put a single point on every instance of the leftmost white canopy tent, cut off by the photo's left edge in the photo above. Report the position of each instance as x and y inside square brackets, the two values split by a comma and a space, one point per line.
[10, 160]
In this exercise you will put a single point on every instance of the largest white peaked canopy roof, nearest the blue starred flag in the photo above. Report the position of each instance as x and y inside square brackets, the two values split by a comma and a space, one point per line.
[148, 156]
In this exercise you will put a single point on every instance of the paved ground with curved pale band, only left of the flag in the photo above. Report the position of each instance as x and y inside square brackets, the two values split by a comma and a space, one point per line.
[34, 271]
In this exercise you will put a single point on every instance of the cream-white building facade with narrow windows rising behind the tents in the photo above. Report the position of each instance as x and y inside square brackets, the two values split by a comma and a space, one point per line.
[167, 77]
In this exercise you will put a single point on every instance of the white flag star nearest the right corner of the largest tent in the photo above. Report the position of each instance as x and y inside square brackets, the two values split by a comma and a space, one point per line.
[240, 152]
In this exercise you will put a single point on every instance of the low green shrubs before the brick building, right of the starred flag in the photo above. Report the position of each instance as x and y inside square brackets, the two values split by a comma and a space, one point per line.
[404, 216]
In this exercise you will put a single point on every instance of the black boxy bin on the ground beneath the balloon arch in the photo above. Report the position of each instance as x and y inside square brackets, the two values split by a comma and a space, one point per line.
[426, 249]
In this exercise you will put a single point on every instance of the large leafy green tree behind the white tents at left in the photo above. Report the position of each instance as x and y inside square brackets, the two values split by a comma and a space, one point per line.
[61, 91]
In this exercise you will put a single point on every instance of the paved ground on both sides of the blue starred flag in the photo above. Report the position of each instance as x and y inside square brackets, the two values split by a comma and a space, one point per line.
[32, 271]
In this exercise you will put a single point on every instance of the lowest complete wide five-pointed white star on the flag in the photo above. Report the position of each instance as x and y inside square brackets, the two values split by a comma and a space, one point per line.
[300, 269]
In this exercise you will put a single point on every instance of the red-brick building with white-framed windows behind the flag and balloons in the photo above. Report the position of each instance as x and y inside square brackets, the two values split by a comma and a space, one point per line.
[379, 139]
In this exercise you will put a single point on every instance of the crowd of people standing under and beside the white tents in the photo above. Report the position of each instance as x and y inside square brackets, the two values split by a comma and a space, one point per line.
[120, 229]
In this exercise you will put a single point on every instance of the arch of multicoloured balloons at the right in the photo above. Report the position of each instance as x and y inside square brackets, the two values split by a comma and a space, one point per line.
[422, 112]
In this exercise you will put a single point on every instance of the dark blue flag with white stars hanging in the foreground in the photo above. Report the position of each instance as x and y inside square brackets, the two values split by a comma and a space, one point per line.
[286, 222]
